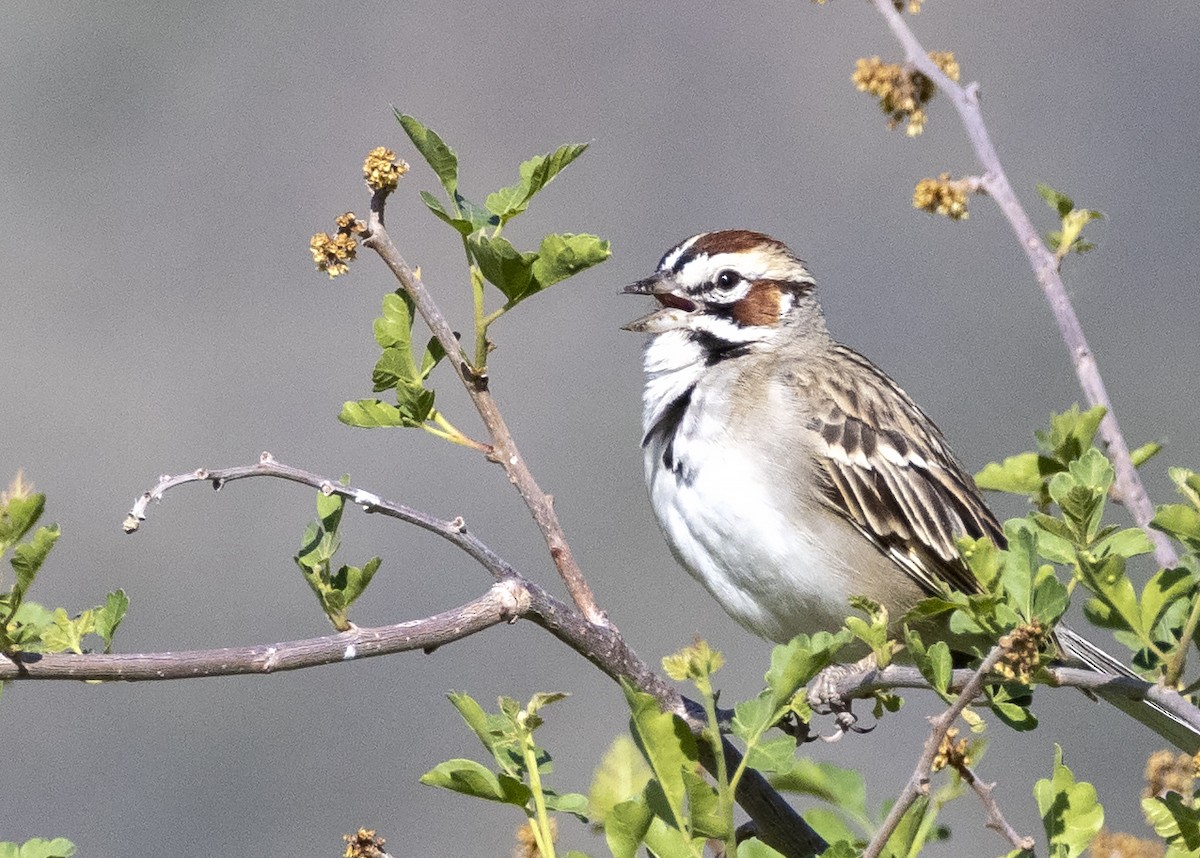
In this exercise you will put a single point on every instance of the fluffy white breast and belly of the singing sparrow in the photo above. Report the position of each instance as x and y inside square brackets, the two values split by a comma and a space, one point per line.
[729, 517]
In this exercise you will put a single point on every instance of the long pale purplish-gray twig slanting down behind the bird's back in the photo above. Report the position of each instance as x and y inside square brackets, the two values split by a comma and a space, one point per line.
[1129, 488]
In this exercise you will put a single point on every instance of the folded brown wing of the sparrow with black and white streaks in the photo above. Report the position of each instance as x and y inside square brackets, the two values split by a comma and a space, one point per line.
[890, 472]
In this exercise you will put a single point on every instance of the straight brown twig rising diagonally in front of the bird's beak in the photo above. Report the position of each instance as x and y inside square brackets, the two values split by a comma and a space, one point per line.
[505, 449]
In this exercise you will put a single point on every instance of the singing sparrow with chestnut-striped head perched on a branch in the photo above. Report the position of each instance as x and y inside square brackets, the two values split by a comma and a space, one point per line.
[790, 473]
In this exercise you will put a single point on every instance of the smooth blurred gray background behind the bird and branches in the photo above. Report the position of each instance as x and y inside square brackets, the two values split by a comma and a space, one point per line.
[163, 169]
